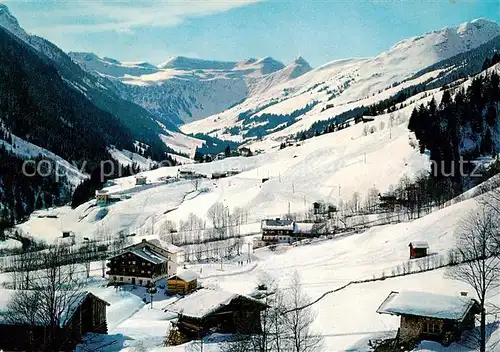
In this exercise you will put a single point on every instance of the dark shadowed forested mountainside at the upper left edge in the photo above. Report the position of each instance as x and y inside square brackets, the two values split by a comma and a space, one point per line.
[39, 107]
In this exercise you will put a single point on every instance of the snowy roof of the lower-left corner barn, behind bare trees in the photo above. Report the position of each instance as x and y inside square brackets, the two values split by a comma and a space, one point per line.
[71, 303]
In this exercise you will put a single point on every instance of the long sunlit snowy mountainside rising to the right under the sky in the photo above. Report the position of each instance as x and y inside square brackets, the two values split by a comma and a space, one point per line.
[343, 82]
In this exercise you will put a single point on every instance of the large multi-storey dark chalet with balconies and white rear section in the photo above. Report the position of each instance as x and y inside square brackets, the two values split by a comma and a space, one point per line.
[143, 263]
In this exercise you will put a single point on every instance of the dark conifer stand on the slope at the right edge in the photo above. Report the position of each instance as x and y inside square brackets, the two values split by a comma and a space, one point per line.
[460, 127]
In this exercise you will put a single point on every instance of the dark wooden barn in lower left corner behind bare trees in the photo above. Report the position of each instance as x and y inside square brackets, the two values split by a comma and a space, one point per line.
[85, 313]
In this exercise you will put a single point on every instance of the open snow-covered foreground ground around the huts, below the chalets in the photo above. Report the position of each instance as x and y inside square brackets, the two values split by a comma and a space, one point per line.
[347, 319]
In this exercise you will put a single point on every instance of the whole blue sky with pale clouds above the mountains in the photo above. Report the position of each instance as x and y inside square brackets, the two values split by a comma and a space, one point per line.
[318, 30]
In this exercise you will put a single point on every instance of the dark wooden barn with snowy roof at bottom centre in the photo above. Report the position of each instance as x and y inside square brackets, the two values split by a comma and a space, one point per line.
[209, 311]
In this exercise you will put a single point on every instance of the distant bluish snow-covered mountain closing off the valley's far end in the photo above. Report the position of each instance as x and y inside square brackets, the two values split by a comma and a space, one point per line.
[184, 89]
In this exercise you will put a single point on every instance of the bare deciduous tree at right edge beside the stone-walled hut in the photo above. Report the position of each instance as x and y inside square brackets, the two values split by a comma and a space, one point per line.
[477, 248]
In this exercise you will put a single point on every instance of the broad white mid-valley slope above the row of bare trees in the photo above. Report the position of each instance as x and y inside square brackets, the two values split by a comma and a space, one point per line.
[330, 168]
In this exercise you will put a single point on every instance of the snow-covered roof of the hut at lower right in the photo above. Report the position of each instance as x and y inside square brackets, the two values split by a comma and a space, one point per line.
[427, 304]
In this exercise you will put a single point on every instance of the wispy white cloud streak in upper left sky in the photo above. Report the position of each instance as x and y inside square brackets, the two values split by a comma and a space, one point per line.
[123, 17]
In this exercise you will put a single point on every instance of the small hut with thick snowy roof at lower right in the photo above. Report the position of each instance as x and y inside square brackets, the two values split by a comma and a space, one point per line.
[430, 316]
